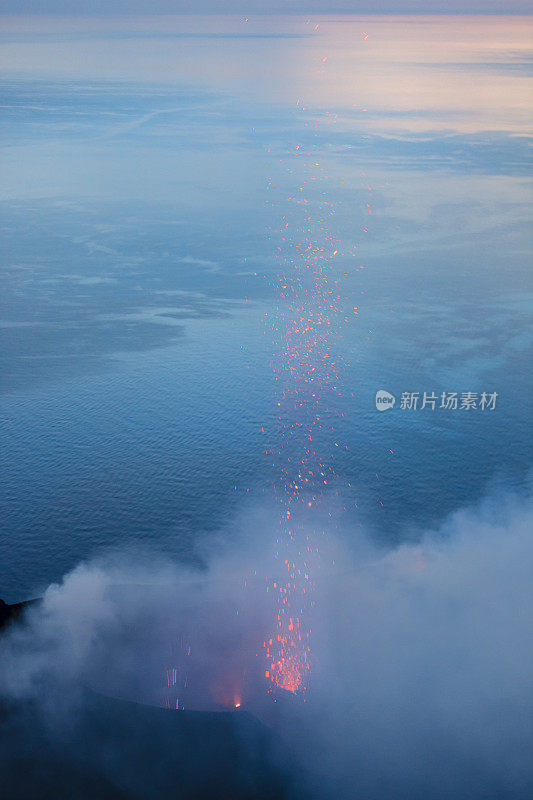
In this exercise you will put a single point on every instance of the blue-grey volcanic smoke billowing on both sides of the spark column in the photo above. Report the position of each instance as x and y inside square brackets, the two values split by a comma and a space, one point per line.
[420, 684]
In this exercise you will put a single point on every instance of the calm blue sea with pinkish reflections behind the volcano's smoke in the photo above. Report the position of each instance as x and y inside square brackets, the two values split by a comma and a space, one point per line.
[148, 168]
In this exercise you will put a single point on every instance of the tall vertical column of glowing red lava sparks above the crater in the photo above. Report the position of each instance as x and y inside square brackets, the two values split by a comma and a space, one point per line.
[307, 376]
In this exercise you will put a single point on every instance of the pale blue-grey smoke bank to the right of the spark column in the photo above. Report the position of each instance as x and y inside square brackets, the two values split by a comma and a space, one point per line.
[425, 664]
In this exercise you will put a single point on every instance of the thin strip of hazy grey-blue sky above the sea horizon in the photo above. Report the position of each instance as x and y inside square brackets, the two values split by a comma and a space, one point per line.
[265, 6]
